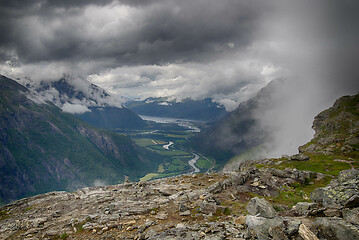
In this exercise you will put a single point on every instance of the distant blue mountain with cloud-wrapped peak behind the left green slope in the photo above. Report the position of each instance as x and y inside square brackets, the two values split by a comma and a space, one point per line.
[90, 103]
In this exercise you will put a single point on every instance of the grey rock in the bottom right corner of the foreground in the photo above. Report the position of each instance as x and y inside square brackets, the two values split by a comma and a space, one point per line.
[335, 229]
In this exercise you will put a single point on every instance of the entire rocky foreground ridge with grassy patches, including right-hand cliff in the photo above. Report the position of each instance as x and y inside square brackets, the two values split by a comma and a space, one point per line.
[311, 195]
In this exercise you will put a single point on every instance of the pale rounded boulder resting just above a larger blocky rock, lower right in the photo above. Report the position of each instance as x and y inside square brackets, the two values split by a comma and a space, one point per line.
[261, 208]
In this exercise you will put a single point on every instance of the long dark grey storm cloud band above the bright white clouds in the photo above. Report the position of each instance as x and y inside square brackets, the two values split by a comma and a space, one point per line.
[166, 31]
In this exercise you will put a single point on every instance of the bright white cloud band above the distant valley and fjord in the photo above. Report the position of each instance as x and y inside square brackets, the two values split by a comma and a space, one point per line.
[235, 79]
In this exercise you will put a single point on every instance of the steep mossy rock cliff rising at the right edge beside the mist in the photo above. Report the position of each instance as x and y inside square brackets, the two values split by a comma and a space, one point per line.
[337, 129]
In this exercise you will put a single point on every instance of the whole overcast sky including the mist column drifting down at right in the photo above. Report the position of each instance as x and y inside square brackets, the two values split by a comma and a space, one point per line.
[226, 50]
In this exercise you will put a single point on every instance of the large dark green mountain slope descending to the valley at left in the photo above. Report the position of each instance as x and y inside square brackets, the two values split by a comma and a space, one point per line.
[43, 149]
